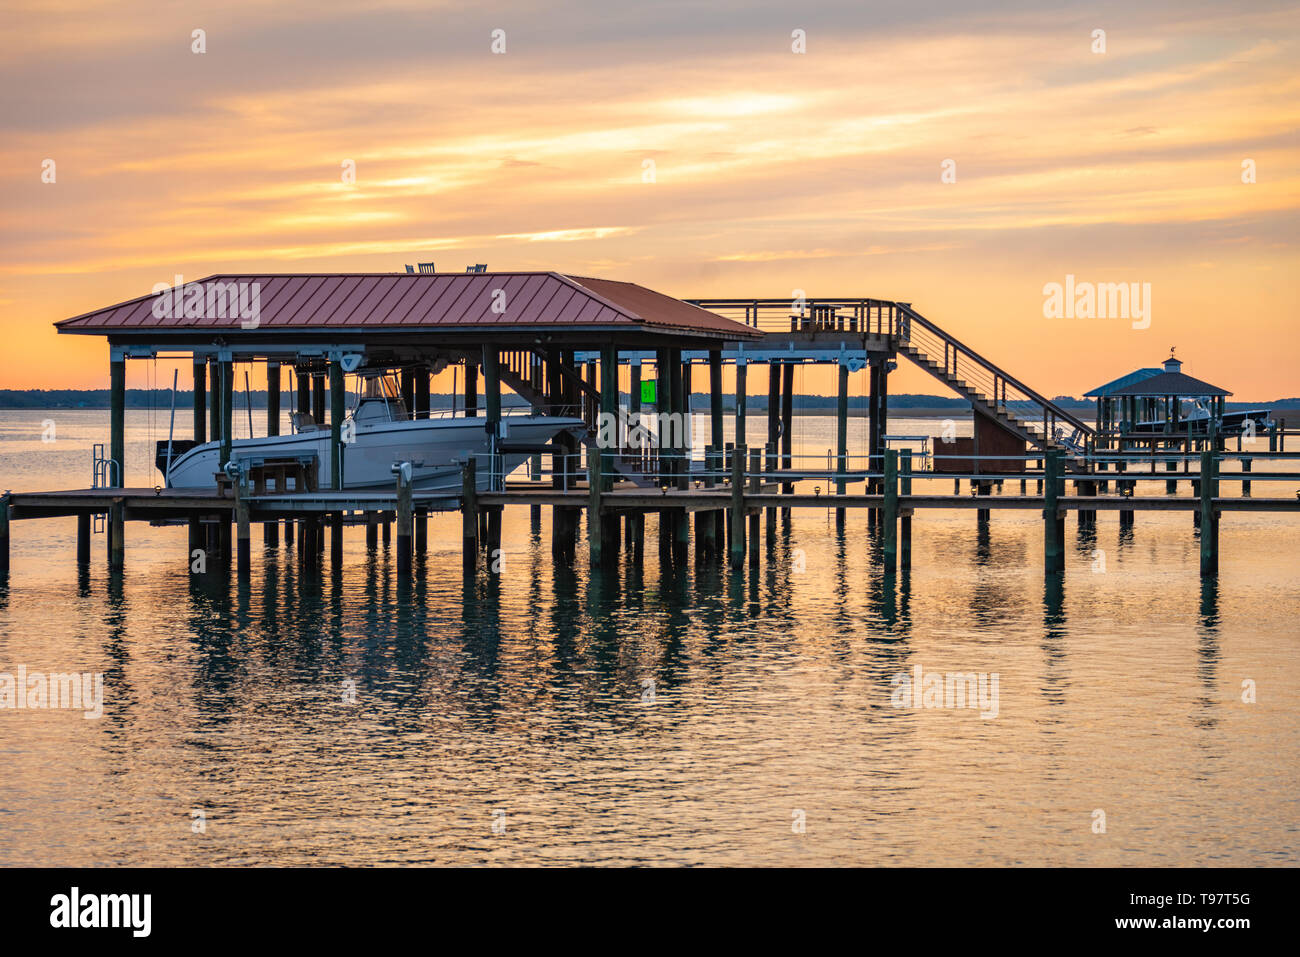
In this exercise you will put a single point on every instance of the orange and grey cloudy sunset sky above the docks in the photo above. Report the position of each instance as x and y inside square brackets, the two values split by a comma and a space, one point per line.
[774, 171]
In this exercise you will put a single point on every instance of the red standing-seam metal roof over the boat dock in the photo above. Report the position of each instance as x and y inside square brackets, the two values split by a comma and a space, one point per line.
[424, 301]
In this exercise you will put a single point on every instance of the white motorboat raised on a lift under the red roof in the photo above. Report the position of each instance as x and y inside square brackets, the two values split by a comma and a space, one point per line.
[379, 434]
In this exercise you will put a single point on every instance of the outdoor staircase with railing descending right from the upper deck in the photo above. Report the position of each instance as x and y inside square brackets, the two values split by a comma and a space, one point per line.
[1004, 399]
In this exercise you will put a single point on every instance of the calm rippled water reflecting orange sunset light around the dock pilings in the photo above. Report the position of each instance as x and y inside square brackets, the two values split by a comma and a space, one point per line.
[523, 700]
